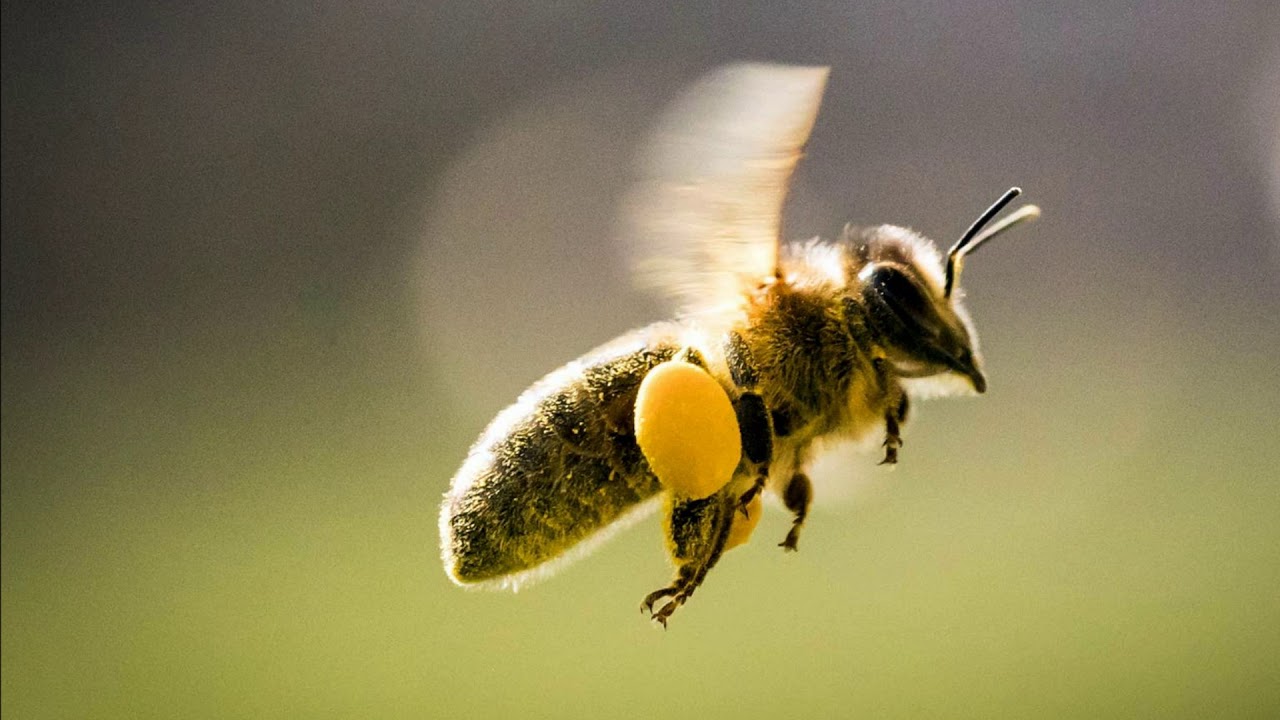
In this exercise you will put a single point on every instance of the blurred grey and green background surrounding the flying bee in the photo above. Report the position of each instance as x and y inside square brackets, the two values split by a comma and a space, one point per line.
[269, 268]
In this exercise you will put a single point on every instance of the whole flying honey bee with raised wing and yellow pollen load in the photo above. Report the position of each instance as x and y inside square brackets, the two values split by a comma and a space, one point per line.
[775, 348]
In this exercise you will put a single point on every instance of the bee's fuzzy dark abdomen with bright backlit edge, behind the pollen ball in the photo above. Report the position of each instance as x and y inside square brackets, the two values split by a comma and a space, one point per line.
[552, 471]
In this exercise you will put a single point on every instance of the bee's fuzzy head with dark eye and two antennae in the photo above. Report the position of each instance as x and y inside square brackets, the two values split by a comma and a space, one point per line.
[913, 300]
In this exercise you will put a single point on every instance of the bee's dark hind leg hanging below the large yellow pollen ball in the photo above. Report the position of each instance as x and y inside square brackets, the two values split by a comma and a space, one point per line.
[697, 531]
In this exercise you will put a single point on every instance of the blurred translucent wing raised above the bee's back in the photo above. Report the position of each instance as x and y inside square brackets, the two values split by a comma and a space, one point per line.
[705, 221]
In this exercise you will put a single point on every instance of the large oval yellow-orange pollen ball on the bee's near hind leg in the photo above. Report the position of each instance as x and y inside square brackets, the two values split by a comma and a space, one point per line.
[688, 430]
